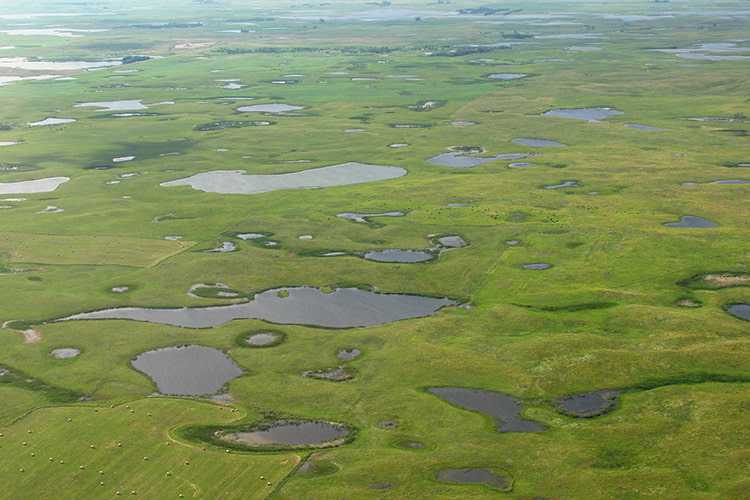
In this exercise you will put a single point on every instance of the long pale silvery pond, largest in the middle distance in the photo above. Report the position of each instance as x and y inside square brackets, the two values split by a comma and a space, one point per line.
[237, 182]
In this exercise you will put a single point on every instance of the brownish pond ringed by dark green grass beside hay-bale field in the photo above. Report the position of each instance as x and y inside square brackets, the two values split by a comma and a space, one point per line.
[293, 433]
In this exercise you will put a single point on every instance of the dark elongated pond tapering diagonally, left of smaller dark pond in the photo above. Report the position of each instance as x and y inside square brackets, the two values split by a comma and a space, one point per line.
[504, 409]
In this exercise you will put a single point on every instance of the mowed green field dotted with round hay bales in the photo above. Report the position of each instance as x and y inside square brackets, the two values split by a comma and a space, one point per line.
[72, 450]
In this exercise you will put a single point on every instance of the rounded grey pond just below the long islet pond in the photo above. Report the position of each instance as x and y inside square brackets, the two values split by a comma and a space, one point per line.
[191, 370]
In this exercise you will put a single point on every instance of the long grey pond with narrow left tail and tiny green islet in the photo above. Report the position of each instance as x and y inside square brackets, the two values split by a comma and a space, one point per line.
[343, 308]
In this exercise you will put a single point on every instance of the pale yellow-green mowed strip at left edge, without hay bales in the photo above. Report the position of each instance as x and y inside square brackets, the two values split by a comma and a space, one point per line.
[98, 250]
